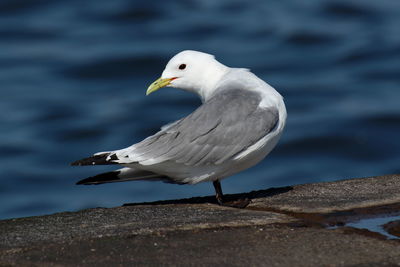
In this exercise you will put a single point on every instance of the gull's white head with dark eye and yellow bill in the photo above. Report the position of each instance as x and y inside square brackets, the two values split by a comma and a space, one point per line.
[191, 71]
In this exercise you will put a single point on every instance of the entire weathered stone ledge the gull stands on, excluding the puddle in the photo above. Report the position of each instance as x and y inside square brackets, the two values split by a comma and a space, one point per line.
[272, 231]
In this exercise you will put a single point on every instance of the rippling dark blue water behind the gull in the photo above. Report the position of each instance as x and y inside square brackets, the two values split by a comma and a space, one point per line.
[73, 76]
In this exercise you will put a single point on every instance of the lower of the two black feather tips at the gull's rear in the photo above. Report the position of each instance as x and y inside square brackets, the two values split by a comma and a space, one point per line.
[121, 175]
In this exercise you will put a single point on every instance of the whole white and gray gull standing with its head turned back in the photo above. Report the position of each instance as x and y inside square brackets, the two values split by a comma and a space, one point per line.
[239, 122]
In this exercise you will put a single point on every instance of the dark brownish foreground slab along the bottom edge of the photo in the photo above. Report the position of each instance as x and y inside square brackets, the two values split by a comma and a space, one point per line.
[272, 245]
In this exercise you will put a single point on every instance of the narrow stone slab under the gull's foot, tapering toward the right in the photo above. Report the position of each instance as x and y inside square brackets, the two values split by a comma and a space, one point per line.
[133, 220]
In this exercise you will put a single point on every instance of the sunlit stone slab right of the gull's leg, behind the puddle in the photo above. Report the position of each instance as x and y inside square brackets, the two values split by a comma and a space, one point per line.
[336, 196]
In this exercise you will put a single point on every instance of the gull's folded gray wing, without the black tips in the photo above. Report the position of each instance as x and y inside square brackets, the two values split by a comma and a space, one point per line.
[221, 128]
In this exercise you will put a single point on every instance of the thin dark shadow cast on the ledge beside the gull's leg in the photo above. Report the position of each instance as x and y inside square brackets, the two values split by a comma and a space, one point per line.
[211, 199]
